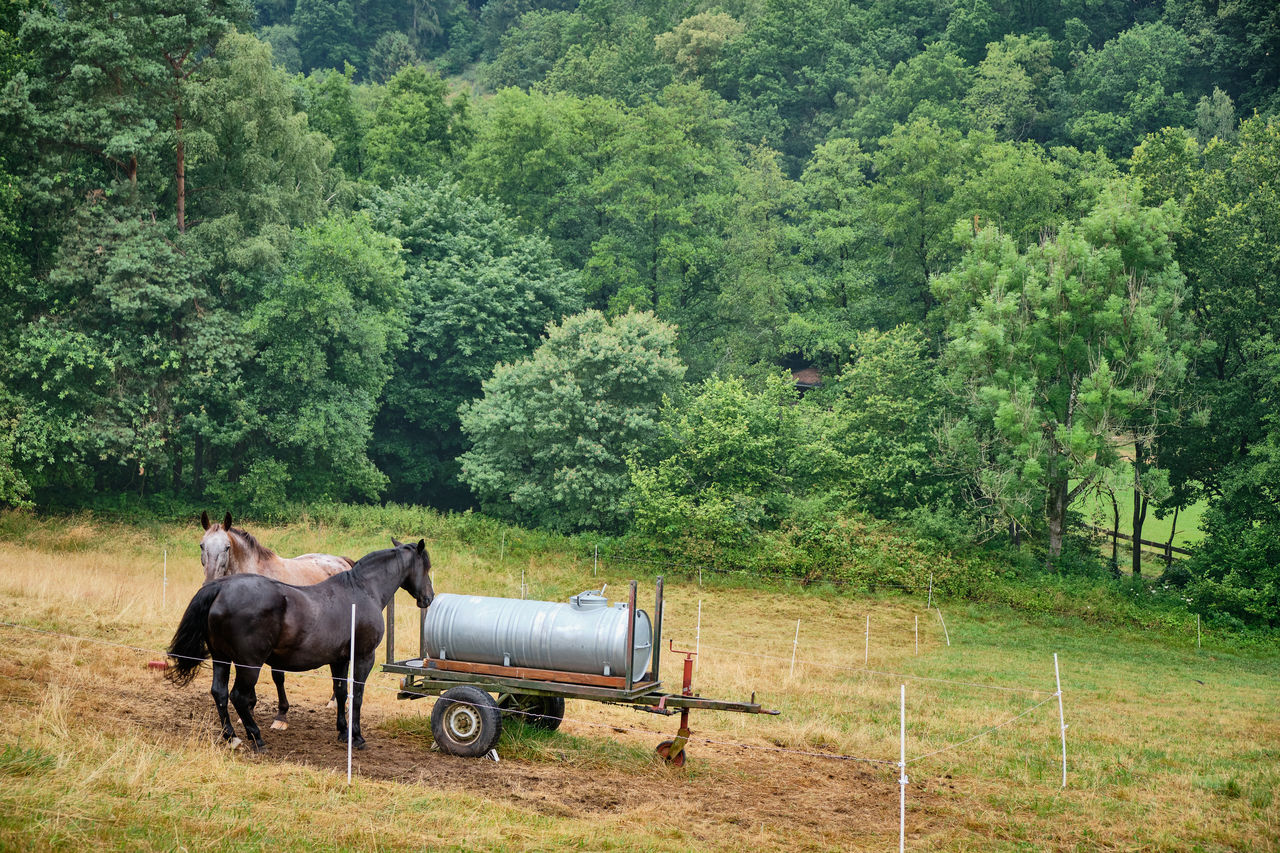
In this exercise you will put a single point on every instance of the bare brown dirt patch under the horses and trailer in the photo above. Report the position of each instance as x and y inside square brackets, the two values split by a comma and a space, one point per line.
[821, 804]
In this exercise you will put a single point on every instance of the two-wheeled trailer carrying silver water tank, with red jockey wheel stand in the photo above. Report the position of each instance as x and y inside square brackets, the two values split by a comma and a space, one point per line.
[488, 658]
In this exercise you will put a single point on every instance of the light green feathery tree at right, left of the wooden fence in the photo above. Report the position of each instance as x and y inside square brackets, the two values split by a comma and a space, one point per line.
[1057, 352]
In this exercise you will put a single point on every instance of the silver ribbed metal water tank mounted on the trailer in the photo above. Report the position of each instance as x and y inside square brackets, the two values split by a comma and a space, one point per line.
[584, 636]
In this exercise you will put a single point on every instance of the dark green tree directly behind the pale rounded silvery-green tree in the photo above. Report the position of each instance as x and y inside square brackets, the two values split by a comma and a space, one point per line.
[479, 294]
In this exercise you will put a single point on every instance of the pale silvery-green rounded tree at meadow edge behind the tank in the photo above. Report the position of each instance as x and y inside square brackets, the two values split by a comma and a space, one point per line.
[552, 435]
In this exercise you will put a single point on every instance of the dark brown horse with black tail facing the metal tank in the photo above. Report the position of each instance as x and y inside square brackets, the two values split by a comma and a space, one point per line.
[250, 622]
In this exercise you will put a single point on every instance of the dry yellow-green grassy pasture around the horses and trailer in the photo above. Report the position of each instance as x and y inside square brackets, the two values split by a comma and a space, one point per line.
[1169, 747]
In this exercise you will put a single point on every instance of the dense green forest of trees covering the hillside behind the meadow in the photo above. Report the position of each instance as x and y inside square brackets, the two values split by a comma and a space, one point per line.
[559, 261]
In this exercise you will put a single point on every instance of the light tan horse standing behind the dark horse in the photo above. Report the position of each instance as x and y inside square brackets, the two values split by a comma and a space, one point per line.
[231, 551]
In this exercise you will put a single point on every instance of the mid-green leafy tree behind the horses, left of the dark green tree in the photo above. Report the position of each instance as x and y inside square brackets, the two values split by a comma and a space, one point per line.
[326, 335]
